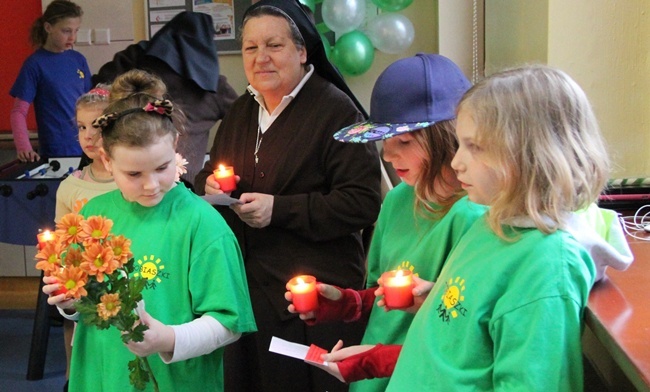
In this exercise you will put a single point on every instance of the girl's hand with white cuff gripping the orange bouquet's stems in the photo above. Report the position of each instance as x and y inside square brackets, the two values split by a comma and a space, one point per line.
[159, 338]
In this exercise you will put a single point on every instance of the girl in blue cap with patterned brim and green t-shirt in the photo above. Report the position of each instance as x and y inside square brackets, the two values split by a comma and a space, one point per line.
[413, 112]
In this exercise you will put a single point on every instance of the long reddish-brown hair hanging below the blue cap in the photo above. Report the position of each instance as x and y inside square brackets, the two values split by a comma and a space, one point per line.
[439, 143]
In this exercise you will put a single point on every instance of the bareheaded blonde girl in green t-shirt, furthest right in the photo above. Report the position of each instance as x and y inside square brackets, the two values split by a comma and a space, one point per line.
[506, 312]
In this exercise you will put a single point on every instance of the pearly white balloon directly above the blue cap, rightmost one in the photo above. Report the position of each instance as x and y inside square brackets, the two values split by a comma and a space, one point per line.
[391, 33]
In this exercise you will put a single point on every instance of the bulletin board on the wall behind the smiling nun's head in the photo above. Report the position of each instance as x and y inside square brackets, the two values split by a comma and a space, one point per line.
[226, 16]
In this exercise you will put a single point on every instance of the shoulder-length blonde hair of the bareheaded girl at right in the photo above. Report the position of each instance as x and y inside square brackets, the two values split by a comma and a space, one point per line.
[541, 136]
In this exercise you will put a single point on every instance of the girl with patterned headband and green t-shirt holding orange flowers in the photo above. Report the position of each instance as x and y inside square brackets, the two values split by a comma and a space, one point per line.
[196, 295]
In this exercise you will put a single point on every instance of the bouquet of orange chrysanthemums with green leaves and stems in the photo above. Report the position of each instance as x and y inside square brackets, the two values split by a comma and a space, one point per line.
[94, 267]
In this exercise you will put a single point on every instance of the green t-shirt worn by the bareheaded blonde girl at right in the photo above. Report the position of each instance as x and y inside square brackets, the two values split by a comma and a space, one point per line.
[503, 316]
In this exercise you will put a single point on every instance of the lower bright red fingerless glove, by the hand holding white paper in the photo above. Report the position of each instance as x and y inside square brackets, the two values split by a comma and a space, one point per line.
[378, 362]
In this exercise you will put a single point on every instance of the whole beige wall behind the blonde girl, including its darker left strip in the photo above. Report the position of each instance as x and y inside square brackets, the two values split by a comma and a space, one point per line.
[604, 45]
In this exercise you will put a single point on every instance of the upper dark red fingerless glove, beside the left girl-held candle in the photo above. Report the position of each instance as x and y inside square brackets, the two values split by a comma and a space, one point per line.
[352, 305]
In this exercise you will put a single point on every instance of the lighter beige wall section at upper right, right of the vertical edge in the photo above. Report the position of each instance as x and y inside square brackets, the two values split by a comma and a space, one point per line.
[605, 46]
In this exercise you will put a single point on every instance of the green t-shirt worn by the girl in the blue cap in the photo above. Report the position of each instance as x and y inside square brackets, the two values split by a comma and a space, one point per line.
[408, 240]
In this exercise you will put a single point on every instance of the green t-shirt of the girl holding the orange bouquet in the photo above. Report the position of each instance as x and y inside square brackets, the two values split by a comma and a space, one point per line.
[194, 267]
